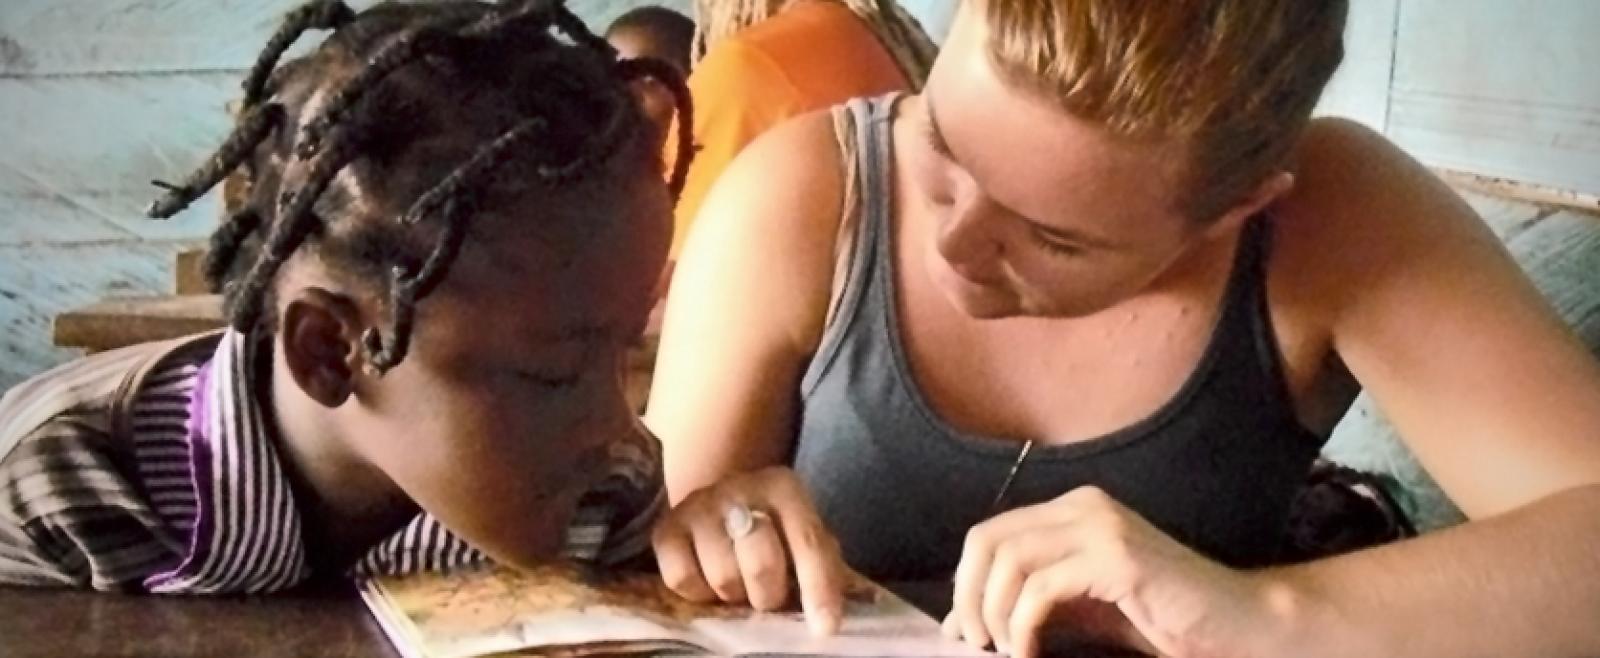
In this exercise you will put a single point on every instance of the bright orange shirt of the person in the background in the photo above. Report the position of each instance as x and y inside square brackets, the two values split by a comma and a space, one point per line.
[764, 62]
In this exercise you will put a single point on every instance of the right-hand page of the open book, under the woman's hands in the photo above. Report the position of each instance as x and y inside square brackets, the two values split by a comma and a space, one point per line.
[876, 624]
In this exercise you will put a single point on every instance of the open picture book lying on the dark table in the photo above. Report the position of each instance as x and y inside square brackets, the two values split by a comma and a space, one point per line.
[569, 612]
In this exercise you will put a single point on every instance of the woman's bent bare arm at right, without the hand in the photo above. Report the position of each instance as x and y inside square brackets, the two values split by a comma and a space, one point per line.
[1489, 388]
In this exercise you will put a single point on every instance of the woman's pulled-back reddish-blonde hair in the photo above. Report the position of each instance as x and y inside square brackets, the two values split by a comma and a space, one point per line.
[1233, 79]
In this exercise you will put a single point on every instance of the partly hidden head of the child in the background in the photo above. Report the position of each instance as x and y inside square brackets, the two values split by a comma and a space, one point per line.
[662, 34]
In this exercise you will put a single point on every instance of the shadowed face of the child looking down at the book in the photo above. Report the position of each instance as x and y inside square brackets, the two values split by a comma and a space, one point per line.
[513, 395]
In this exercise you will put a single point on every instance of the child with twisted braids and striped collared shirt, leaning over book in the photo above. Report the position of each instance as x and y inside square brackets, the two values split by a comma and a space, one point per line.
[450, 233]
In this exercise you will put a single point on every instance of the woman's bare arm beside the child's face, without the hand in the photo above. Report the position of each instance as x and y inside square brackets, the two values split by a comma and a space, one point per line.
[746, 308]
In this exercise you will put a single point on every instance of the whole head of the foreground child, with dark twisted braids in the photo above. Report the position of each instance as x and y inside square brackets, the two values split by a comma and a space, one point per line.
[452, 230]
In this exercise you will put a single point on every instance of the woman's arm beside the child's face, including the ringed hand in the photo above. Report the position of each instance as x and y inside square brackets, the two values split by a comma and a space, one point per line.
[743, 318]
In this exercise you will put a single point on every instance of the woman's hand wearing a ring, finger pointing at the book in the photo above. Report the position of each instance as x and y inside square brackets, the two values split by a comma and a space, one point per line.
[737, 542]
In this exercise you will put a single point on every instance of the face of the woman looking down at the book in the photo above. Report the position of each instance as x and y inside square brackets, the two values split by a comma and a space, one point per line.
[1036, 212]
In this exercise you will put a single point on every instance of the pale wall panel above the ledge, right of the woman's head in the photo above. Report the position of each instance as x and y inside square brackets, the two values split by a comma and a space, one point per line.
[1487, 87]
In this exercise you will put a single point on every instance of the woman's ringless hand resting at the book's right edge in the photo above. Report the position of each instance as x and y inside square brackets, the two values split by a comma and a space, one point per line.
[1103, 572]
